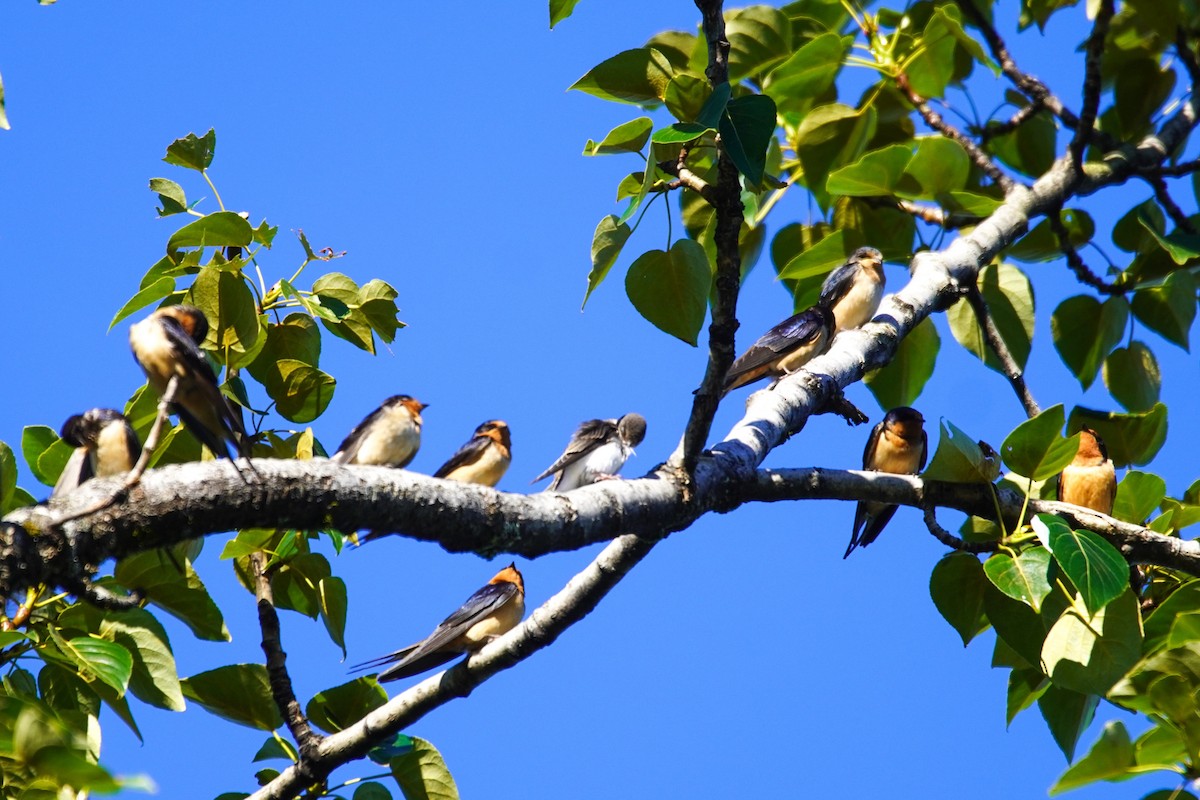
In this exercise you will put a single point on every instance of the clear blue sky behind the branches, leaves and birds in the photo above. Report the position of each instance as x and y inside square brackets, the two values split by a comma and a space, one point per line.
[437, 146]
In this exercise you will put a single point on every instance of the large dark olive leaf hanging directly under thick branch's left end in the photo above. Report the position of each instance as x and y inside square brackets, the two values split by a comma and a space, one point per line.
[167, 579]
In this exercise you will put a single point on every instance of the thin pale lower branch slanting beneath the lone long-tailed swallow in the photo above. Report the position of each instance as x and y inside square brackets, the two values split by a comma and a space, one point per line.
[539, 630]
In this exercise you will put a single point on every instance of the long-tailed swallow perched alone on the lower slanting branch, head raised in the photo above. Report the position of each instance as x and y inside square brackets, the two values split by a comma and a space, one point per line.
[488, 615]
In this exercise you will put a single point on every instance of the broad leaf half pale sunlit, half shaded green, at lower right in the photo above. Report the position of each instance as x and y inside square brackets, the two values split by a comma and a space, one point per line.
[1091, 655]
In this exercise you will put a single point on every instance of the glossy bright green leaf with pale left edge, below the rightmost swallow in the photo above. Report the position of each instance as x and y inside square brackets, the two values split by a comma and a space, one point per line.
[1096, 568]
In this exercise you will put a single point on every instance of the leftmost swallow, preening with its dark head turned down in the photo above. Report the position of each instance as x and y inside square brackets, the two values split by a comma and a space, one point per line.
[105, 446]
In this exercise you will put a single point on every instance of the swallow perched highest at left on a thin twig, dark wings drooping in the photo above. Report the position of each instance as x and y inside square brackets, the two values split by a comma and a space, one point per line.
[167, 346]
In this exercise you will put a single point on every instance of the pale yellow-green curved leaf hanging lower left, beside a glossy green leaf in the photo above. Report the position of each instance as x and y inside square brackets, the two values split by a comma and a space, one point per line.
[154, 679]
